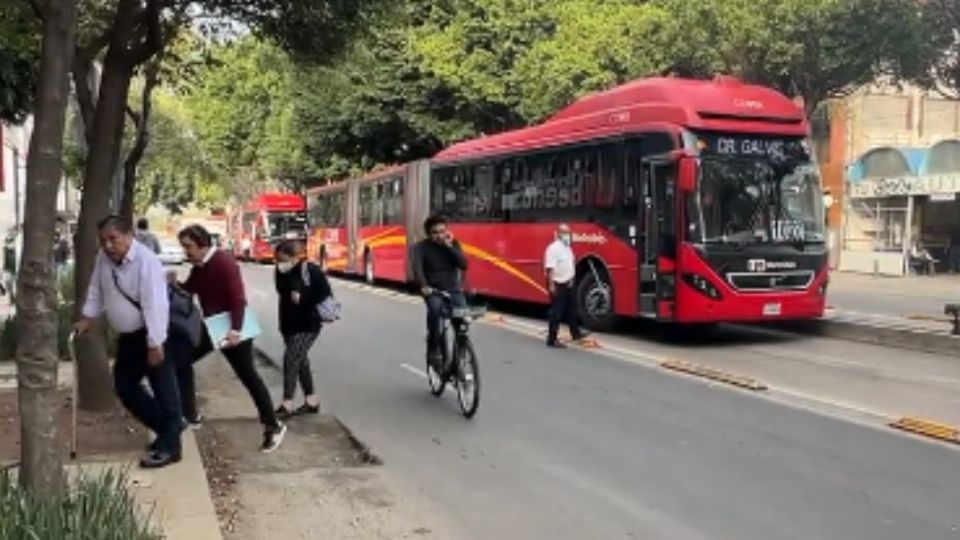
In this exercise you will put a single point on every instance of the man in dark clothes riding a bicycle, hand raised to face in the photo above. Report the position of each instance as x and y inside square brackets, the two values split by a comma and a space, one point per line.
[437, 265]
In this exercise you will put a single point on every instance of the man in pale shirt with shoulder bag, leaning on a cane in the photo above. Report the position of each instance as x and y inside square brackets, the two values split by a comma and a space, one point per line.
[128, 283]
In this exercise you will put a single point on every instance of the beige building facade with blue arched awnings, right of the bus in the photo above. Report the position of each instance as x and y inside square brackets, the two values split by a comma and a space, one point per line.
[890, 157]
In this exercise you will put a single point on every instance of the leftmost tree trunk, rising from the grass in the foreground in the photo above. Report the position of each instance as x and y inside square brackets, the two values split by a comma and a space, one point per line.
[37, 355]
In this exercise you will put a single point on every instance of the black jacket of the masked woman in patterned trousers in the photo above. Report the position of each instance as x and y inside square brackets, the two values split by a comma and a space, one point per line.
[302, 317]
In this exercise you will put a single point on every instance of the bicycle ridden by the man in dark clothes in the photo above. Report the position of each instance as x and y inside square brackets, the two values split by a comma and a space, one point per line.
[458, 359]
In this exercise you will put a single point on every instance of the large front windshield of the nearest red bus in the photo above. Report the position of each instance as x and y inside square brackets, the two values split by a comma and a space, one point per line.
[756, 201]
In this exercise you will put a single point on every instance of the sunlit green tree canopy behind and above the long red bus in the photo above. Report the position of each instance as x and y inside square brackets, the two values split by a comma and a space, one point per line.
[437, 72]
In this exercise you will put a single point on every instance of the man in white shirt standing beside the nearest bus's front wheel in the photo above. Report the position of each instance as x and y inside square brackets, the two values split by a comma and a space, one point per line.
[560, 263]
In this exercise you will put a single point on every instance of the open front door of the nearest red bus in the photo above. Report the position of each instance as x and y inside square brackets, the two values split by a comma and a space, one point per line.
[658, 214]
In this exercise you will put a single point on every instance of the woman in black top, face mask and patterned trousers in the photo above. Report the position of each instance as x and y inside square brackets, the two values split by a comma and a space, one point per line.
[301, 286]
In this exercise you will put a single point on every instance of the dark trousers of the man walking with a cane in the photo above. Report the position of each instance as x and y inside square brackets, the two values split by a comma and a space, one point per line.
[160, 412]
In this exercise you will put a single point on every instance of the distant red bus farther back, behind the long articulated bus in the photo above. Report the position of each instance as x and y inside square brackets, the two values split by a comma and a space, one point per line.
[258, 226]
